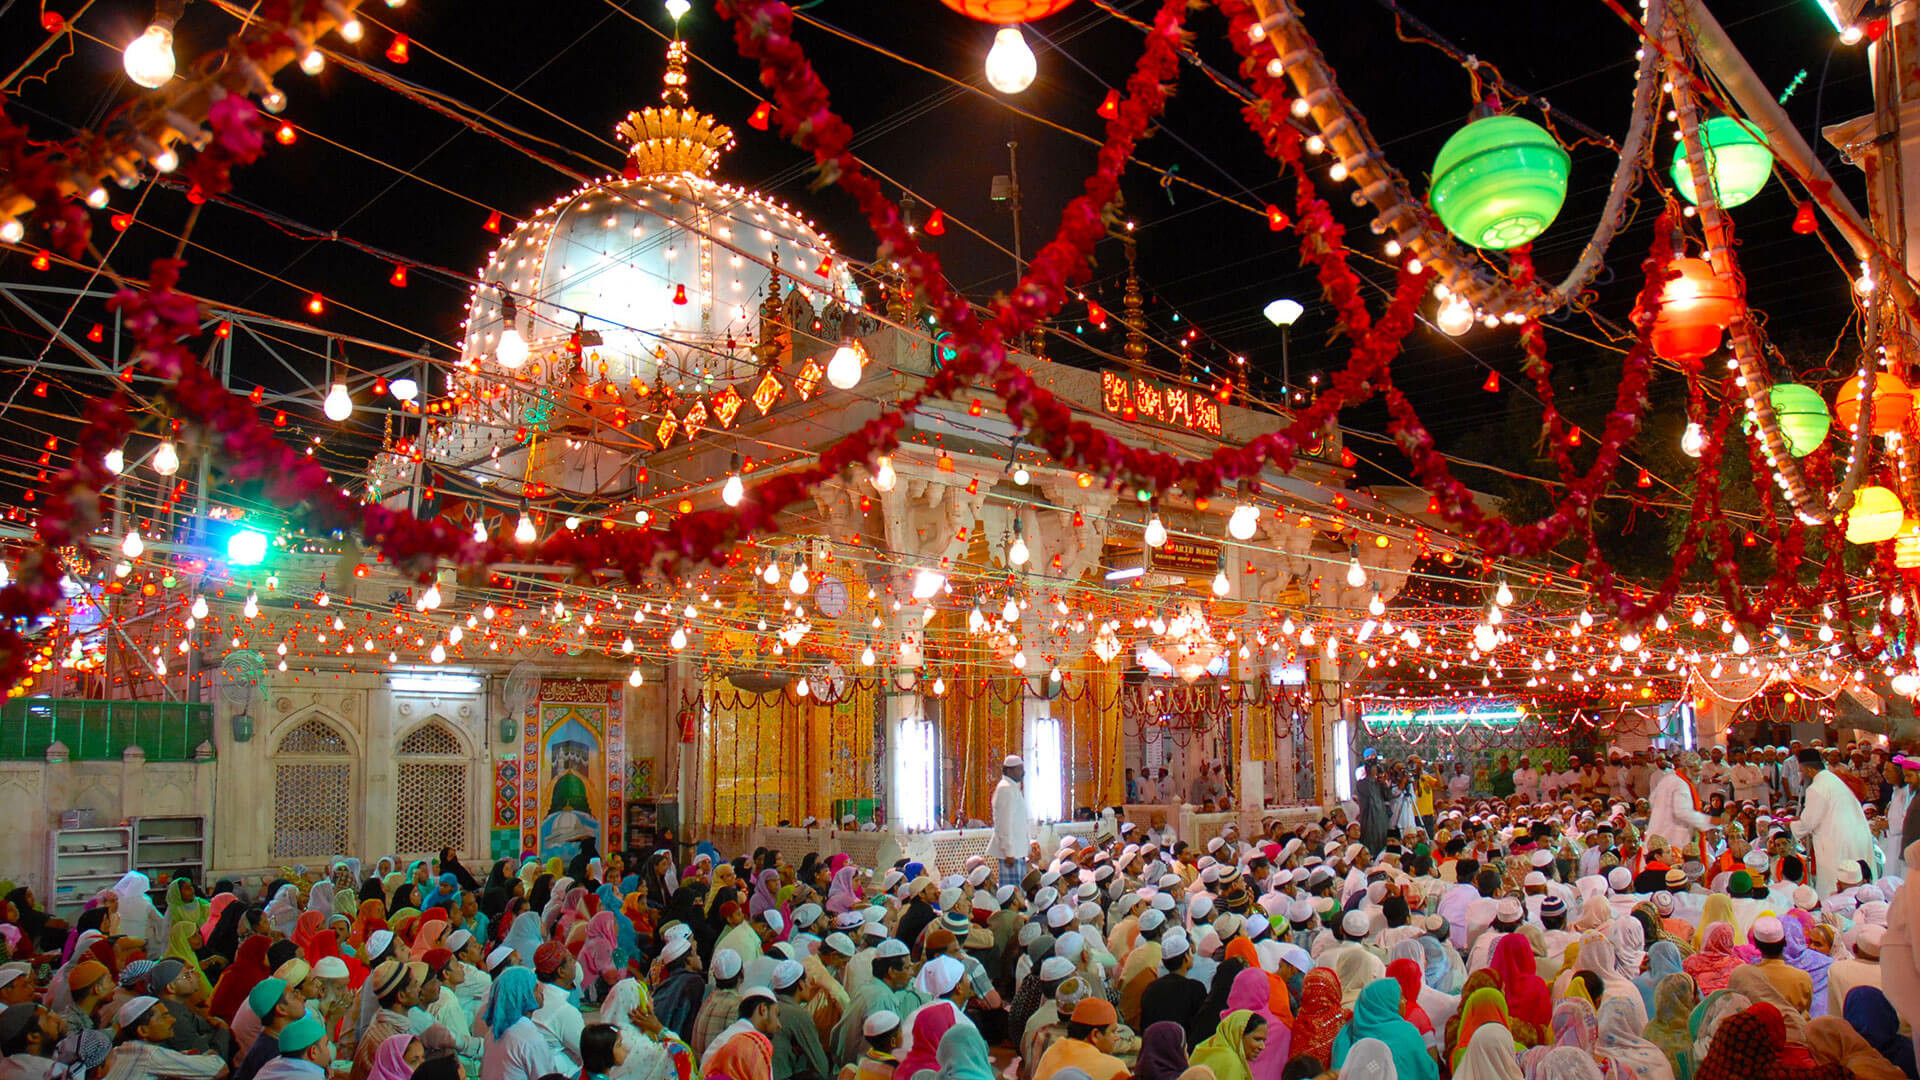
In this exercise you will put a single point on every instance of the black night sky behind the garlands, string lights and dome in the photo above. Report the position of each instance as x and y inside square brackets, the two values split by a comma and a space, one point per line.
[588, 62]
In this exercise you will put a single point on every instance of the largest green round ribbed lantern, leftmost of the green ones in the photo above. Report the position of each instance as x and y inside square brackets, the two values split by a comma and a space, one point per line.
[1500, 182]
